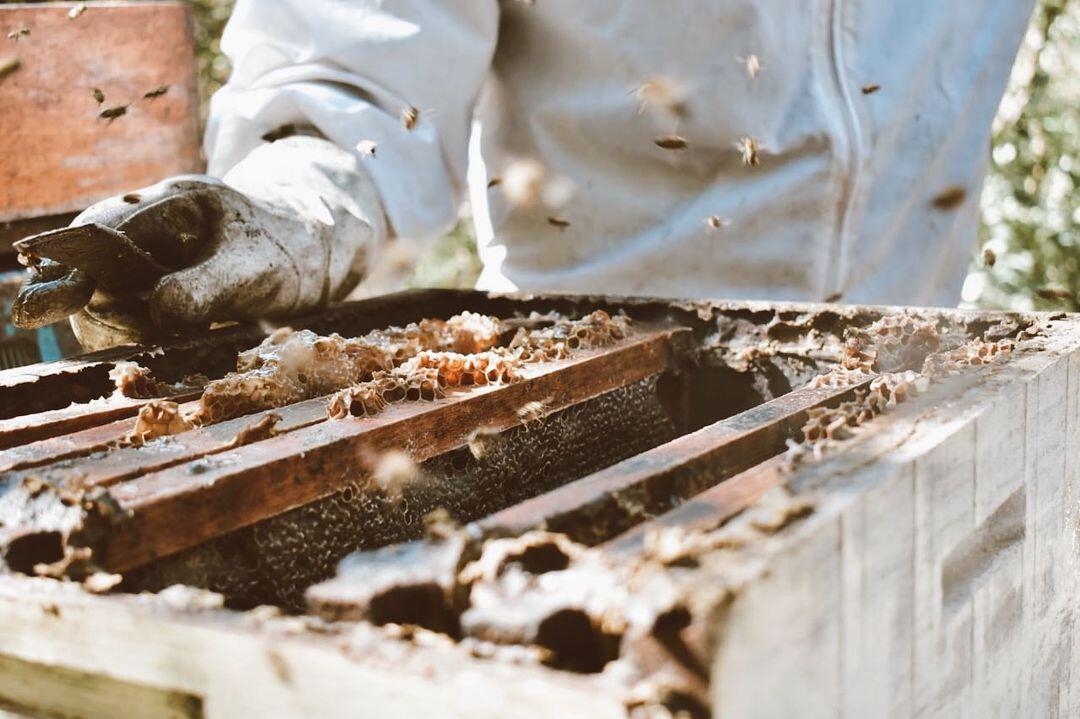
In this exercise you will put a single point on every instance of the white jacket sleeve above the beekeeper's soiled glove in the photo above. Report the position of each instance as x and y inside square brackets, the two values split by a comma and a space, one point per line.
[352, 70]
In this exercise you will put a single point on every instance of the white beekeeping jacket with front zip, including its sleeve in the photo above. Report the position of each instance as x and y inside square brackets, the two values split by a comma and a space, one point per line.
[872, 118]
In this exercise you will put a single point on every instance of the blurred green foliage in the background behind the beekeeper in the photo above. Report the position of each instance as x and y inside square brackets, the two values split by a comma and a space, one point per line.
[1030, 255]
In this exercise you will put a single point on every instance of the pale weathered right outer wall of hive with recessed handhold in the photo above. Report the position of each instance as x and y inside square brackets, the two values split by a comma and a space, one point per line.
[958, 554]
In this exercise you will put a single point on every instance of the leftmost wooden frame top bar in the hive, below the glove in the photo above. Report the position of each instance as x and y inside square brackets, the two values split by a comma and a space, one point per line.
[43, 426]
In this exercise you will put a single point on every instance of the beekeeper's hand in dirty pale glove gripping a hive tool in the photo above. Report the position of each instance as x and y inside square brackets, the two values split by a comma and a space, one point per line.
[288, 232]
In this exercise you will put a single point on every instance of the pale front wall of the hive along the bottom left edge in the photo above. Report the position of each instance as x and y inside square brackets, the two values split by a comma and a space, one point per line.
[246, 668]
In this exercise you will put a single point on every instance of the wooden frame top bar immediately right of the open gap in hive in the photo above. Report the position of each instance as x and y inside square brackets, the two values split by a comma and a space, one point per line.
[598, 508]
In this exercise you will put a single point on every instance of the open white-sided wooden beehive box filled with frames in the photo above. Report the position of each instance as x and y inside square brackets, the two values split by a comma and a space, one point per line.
[923, 563]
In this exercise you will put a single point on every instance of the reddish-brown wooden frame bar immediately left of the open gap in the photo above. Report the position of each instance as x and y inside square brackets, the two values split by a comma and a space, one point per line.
[175, 509]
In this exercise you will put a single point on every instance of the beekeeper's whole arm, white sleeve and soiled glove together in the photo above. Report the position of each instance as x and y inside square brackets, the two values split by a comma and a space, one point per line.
[294, 221]
